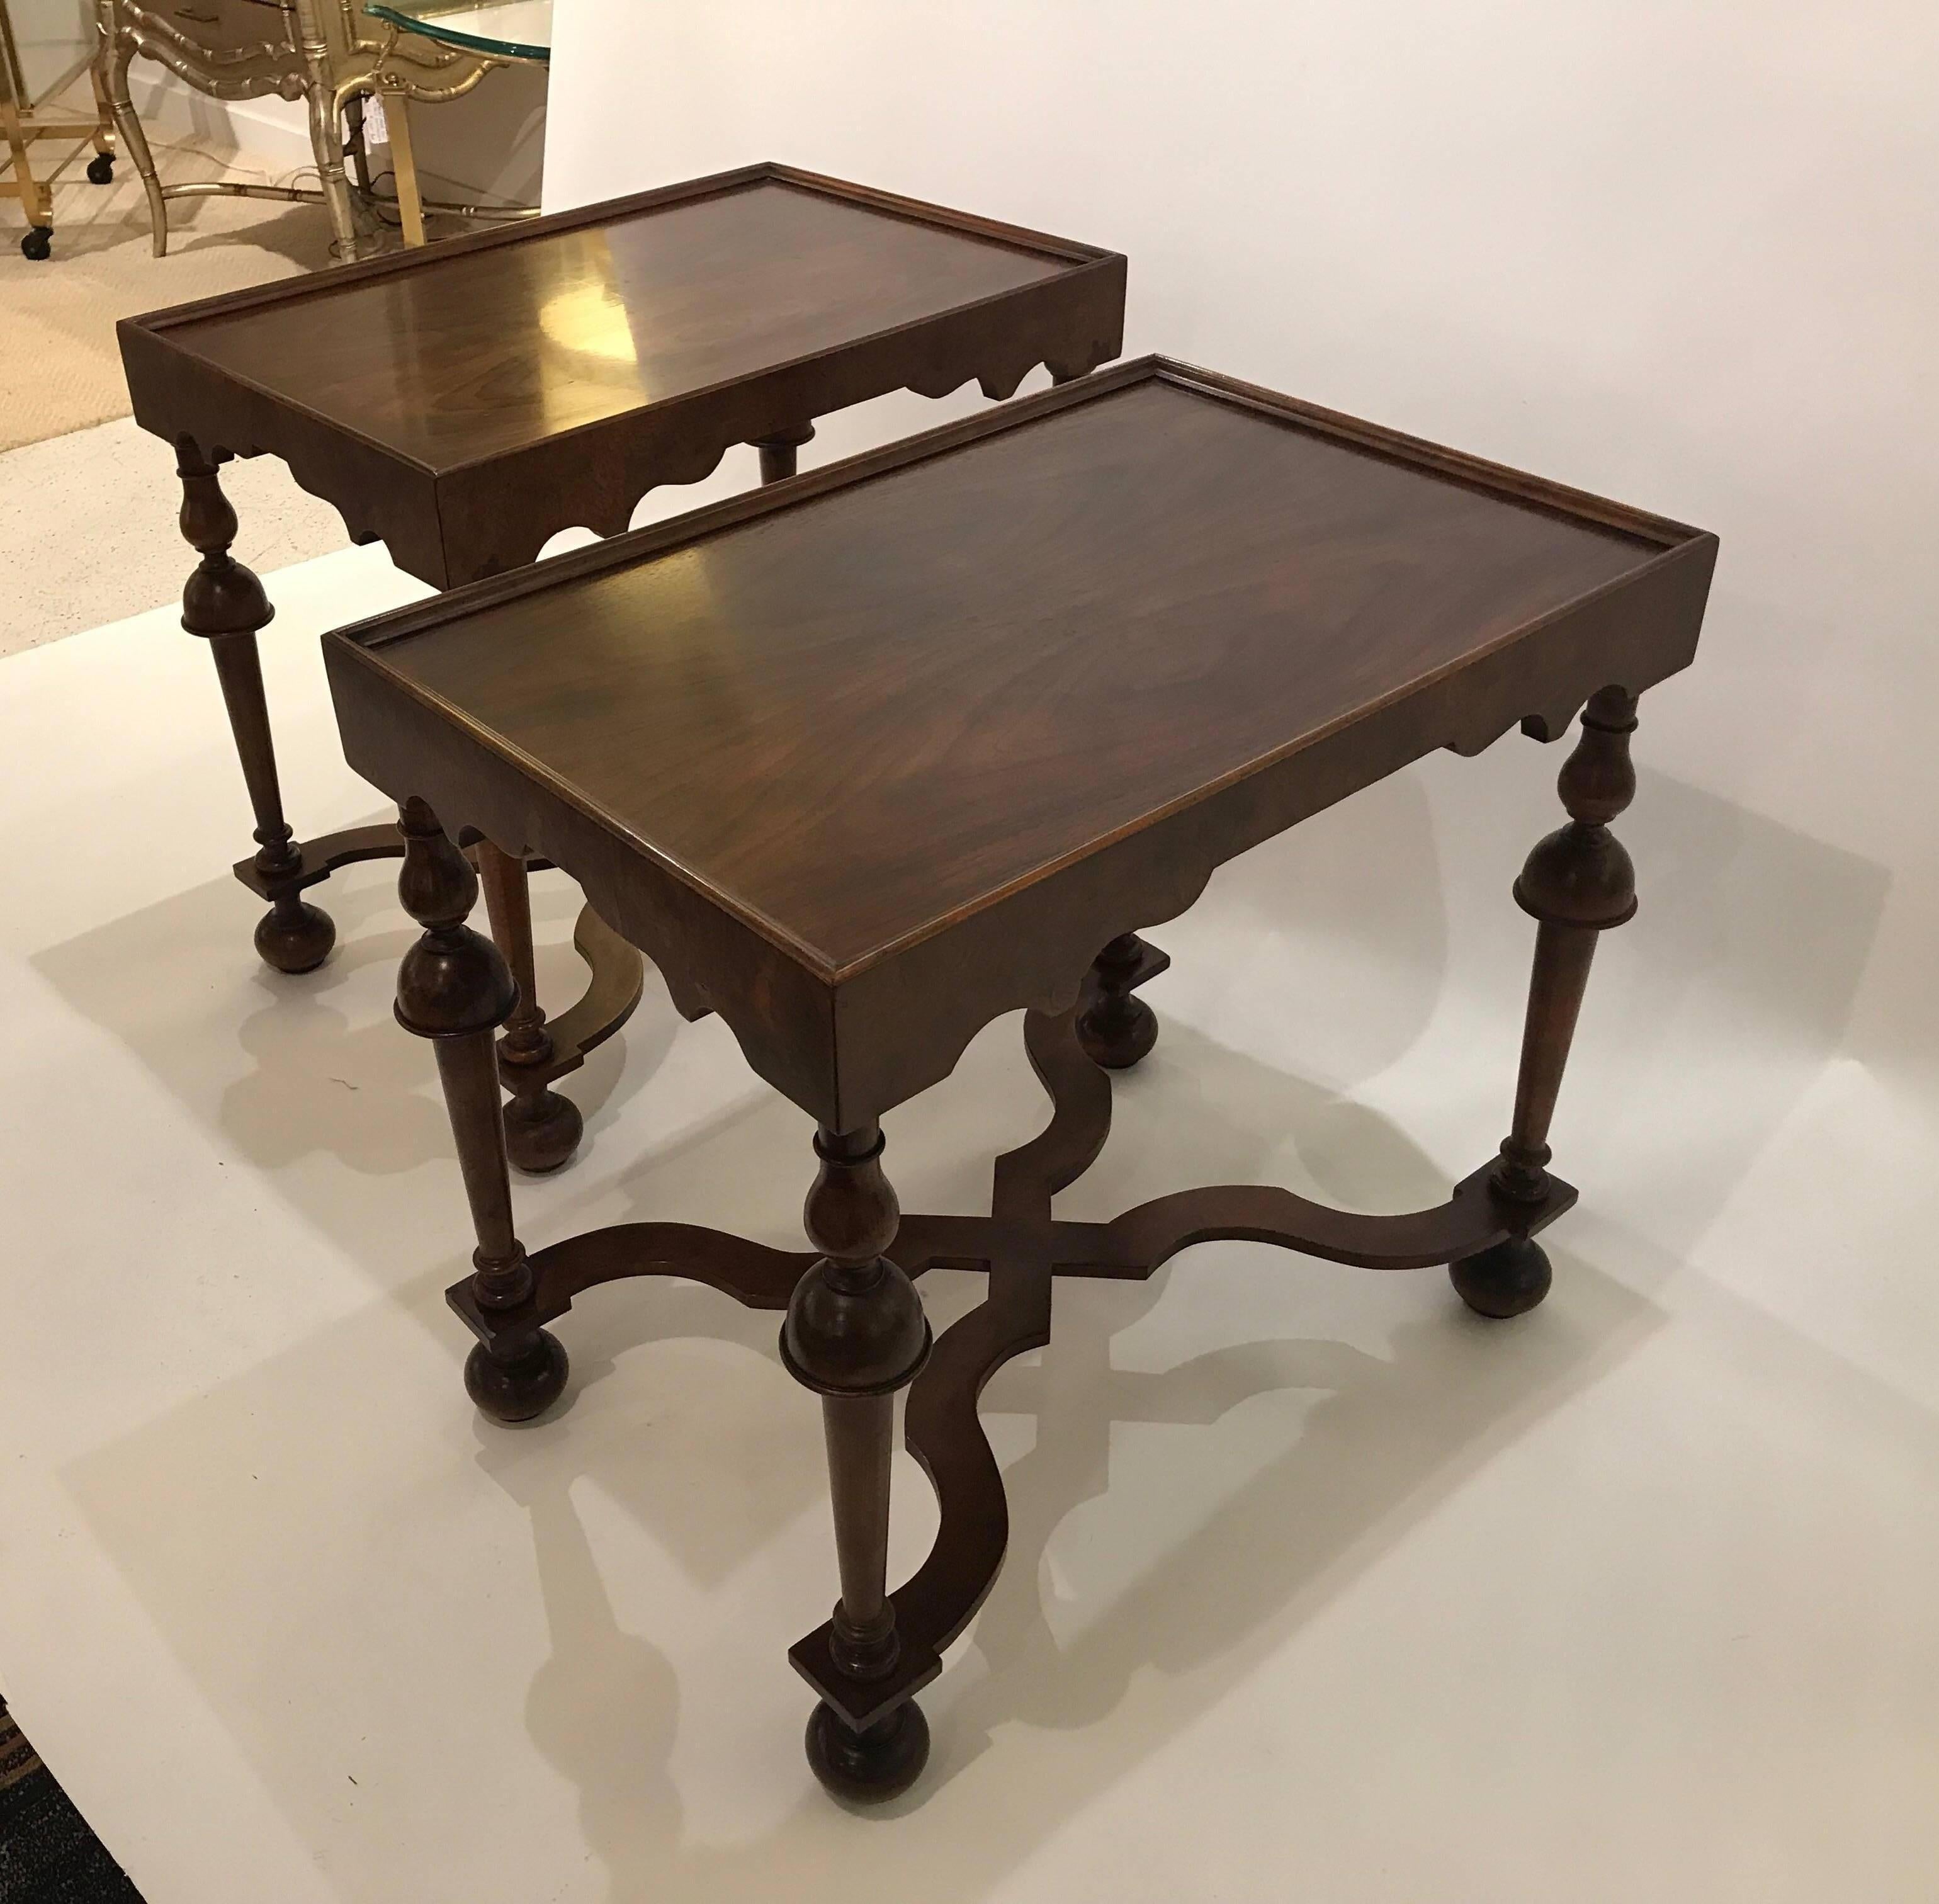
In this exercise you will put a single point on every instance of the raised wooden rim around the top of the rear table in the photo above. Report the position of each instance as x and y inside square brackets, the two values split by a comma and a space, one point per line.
[162, 327]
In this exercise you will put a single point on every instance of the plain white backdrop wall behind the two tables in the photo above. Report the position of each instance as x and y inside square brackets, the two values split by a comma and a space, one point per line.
[1688, 257]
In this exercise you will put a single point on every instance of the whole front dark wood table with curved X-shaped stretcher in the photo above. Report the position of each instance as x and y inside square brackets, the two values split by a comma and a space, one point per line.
[875, 759]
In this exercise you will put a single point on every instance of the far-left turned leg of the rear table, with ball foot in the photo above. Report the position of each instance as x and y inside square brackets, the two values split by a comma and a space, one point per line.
[226, 606]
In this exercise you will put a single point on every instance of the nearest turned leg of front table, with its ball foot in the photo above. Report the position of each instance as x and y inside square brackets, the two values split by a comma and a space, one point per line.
[856, 1335]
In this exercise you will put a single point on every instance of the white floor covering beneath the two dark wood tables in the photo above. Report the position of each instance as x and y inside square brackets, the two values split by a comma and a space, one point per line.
[1319, 1589]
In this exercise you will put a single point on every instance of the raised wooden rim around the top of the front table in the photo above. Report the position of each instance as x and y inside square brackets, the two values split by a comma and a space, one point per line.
[1661, 540]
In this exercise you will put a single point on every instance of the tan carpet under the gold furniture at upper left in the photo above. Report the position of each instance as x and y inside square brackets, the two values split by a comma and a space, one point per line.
[59, 365]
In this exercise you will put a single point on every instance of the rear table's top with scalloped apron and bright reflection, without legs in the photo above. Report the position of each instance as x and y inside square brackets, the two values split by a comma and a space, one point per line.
[685, 321]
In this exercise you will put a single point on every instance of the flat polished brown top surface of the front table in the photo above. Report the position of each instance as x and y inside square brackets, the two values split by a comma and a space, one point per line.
[868, 711]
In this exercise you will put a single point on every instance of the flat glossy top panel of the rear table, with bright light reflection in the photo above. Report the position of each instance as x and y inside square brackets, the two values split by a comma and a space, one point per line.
[530, 340]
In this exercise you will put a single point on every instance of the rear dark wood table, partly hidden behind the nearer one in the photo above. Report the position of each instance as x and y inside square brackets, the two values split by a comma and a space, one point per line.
[468, 402]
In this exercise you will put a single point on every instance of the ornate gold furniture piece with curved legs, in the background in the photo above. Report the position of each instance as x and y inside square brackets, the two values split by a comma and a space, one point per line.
[333, 55]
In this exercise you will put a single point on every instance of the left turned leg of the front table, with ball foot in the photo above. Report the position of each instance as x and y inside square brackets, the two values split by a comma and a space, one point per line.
[457, 990]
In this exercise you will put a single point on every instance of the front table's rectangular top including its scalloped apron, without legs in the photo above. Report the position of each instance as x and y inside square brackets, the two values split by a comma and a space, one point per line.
[895, 747]
